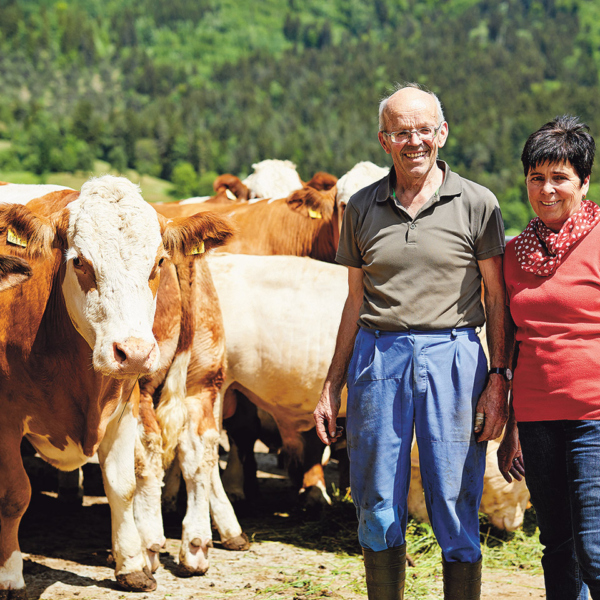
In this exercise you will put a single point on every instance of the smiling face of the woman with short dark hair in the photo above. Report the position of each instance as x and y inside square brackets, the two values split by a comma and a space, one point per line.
[555, 192]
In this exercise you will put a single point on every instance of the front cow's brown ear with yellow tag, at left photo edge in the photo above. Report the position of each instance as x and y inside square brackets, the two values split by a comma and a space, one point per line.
[27, 233]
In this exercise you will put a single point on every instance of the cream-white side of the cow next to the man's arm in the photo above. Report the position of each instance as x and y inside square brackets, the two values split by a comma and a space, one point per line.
[281, 315]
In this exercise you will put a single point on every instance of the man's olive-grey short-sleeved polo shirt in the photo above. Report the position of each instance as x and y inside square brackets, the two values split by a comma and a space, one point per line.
[421, 273]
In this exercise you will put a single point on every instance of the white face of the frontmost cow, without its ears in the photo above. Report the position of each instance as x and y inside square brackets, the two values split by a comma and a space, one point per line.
[113, 256]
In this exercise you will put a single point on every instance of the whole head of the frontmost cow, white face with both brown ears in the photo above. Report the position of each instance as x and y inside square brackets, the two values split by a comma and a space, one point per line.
[114, 245]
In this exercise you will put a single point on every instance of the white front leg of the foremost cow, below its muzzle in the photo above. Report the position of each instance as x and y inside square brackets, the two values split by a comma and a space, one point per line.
[117, 456]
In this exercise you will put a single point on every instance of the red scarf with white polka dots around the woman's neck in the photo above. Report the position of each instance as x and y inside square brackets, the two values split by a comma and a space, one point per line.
[540, 250]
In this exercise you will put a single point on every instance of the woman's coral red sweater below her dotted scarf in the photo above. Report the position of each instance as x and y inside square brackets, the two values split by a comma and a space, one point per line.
[558, 320]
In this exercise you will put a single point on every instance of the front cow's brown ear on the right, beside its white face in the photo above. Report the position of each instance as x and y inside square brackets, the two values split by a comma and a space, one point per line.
[195, 235]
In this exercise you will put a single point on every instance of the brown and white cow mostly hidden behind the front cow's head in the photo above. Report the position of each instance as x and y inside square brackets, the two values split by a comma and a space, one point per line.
[184, 426]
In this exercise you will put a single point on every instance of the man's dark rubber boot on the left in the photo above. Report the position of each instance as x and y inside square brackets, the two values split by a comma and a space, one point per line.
[385, 573]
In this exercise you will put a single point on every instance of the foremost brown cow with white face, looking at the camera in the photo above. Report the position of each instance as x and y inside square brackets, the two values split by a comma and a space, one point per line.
[75, 338]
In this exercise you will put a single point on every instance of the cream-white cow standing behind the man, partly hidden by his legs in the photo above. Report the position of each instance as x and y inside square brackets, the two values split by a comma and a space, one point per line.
[280, 340]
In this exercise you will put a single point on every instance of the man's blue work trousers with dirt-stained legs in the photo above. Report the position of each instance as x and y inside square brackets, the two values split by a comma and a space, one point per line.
[430, 381]
